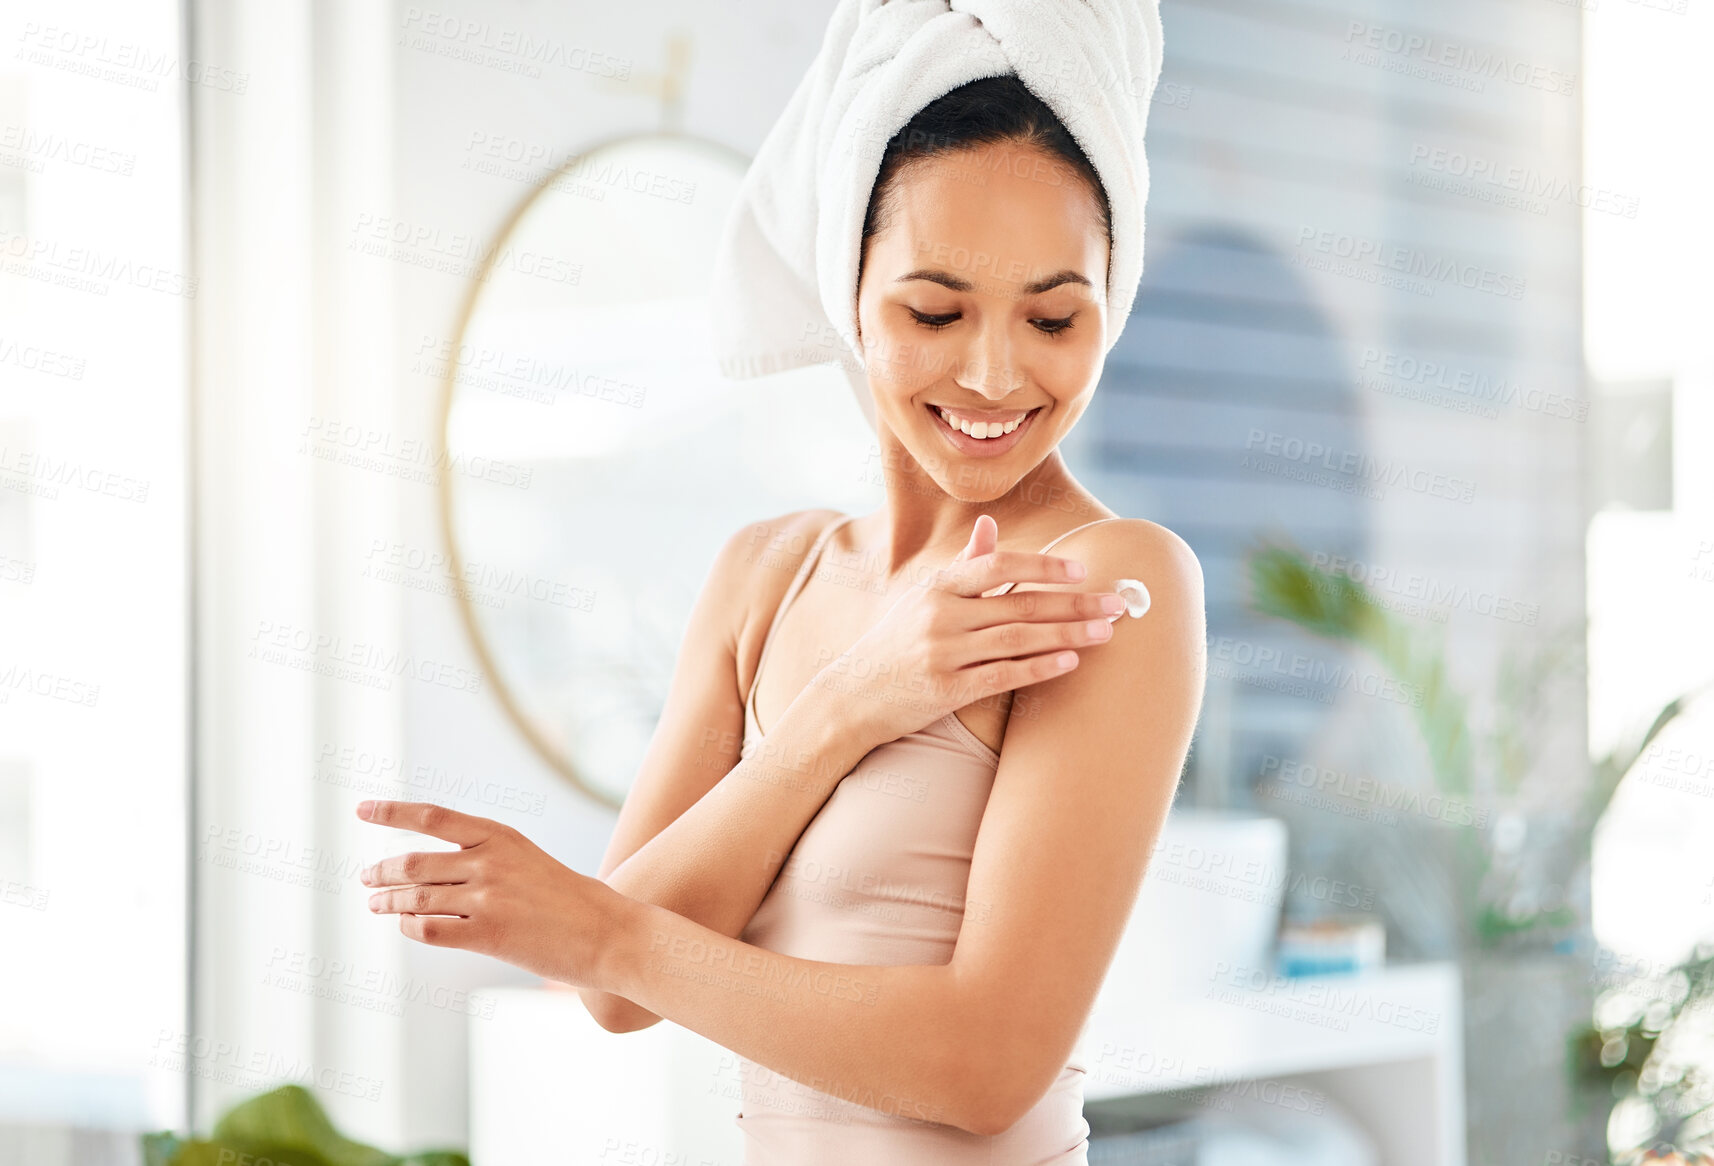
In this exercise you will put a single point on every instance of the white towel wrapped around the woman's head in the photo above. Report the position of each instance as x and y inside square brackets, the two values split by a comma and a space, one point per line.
[786, 275]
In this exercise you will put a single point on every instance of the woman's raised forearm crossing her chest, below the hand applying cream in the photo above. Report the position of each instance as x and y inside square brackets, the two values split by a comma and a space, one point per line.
[716, 863]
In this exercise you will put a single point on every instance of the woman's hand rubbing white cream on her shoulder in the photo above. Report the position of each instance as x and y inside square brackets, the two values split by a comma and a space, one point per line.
[945, 644]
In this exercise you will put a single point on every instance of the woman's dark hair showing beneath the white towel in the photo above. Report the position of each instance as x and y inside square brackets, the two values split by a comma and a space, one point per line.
[985, 112]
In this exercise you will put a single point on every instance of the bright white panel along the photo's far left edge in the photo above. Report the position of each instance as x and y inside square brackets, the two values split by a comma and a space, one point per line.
[95, 306]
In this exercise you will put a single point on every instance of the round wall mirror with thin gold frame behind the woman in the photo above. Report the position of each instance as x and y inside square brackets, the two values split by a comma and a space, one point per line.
[597, 455]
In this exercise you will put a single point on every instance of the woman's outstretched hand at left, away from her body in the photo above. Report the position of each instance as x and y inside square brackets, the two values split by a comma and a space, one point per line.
[500, 896]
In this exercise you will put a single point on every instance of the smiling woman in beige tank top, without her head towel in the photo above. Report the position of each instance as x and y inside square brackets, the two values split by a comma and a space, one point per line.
[909, 772]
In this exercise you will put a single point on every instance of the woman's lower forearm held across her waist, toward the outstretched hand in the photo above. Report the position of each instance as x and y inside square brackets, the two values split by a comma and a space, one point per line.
[897, 1040]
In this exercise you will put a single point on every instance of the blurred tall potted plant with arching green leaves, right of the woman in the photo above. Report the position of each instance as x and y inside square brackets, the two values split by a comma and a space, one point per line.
[1525, 956]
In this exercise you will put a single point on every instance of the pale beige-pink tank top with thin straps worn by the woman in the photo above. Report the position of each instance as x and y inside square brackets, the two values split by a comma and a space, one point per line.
[878, 877]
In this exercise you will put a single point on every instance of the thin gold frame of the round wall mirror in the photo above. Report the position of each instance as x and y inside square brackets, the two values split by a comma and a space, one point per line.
[467, 611]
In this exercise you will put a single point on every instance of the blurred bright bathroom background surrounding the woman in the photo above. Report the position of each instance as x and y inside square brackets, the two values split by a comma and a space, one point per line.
[359, 438]
